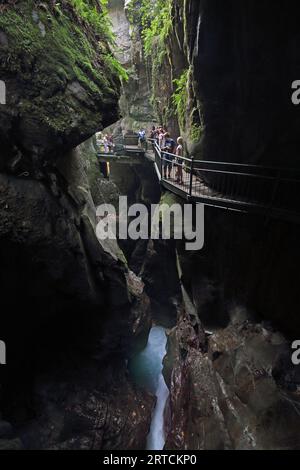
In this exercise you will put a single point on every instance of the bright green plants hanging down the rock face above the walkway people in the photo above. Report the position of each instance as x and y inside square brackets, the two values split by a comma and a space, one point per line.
[153, 21]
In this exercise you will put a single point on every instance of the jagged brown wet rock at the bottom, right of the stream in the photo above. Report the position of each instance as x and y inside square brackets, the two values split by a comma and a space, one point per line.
[235, 390]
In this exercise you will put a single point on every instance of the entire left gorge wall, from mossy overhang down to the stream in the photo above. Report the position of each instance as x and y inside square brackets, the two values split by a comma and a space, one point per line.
[67, 304]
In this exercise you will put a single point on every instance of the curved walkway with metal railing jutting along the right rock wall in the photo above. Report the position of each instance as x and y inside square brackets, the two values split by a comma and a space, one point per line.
[235, 186]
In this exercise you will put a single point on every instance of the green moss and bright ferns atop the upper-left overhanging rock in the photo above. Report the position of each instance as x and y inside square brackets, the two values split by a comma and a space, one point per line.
[69, 48]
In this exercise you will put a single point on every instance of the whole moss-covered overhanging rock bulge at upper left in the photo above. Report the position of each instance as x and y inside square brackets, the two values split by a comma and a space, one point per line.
[61, 84]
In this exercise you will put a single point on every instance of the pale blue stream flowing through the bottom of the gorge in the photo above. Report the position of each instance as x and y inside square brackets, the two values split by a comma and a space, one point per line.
[146, 369]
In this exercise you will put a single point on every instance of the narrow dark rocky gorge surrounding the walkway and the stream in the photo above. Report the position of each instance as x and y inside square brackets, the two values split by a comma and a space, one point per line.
[142, 344]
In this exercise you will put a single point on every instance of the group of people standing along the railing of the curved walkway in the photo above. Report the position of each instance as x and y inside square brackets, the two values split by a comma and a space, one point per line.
[172, 152]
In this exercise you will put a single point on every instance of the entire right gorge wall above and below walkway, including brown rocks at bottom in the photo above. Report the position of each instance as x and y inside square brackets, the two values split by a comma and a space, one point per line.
[231, 389]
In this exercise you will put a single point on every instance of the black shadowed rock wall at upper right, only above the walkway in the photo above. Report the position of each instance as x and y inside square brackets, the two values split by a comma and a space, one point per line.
[242, 61]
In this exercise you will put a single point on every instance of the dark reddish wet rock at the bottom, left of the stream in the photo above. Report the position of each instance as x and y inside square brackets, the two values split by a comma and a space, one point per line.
[89, 409]
